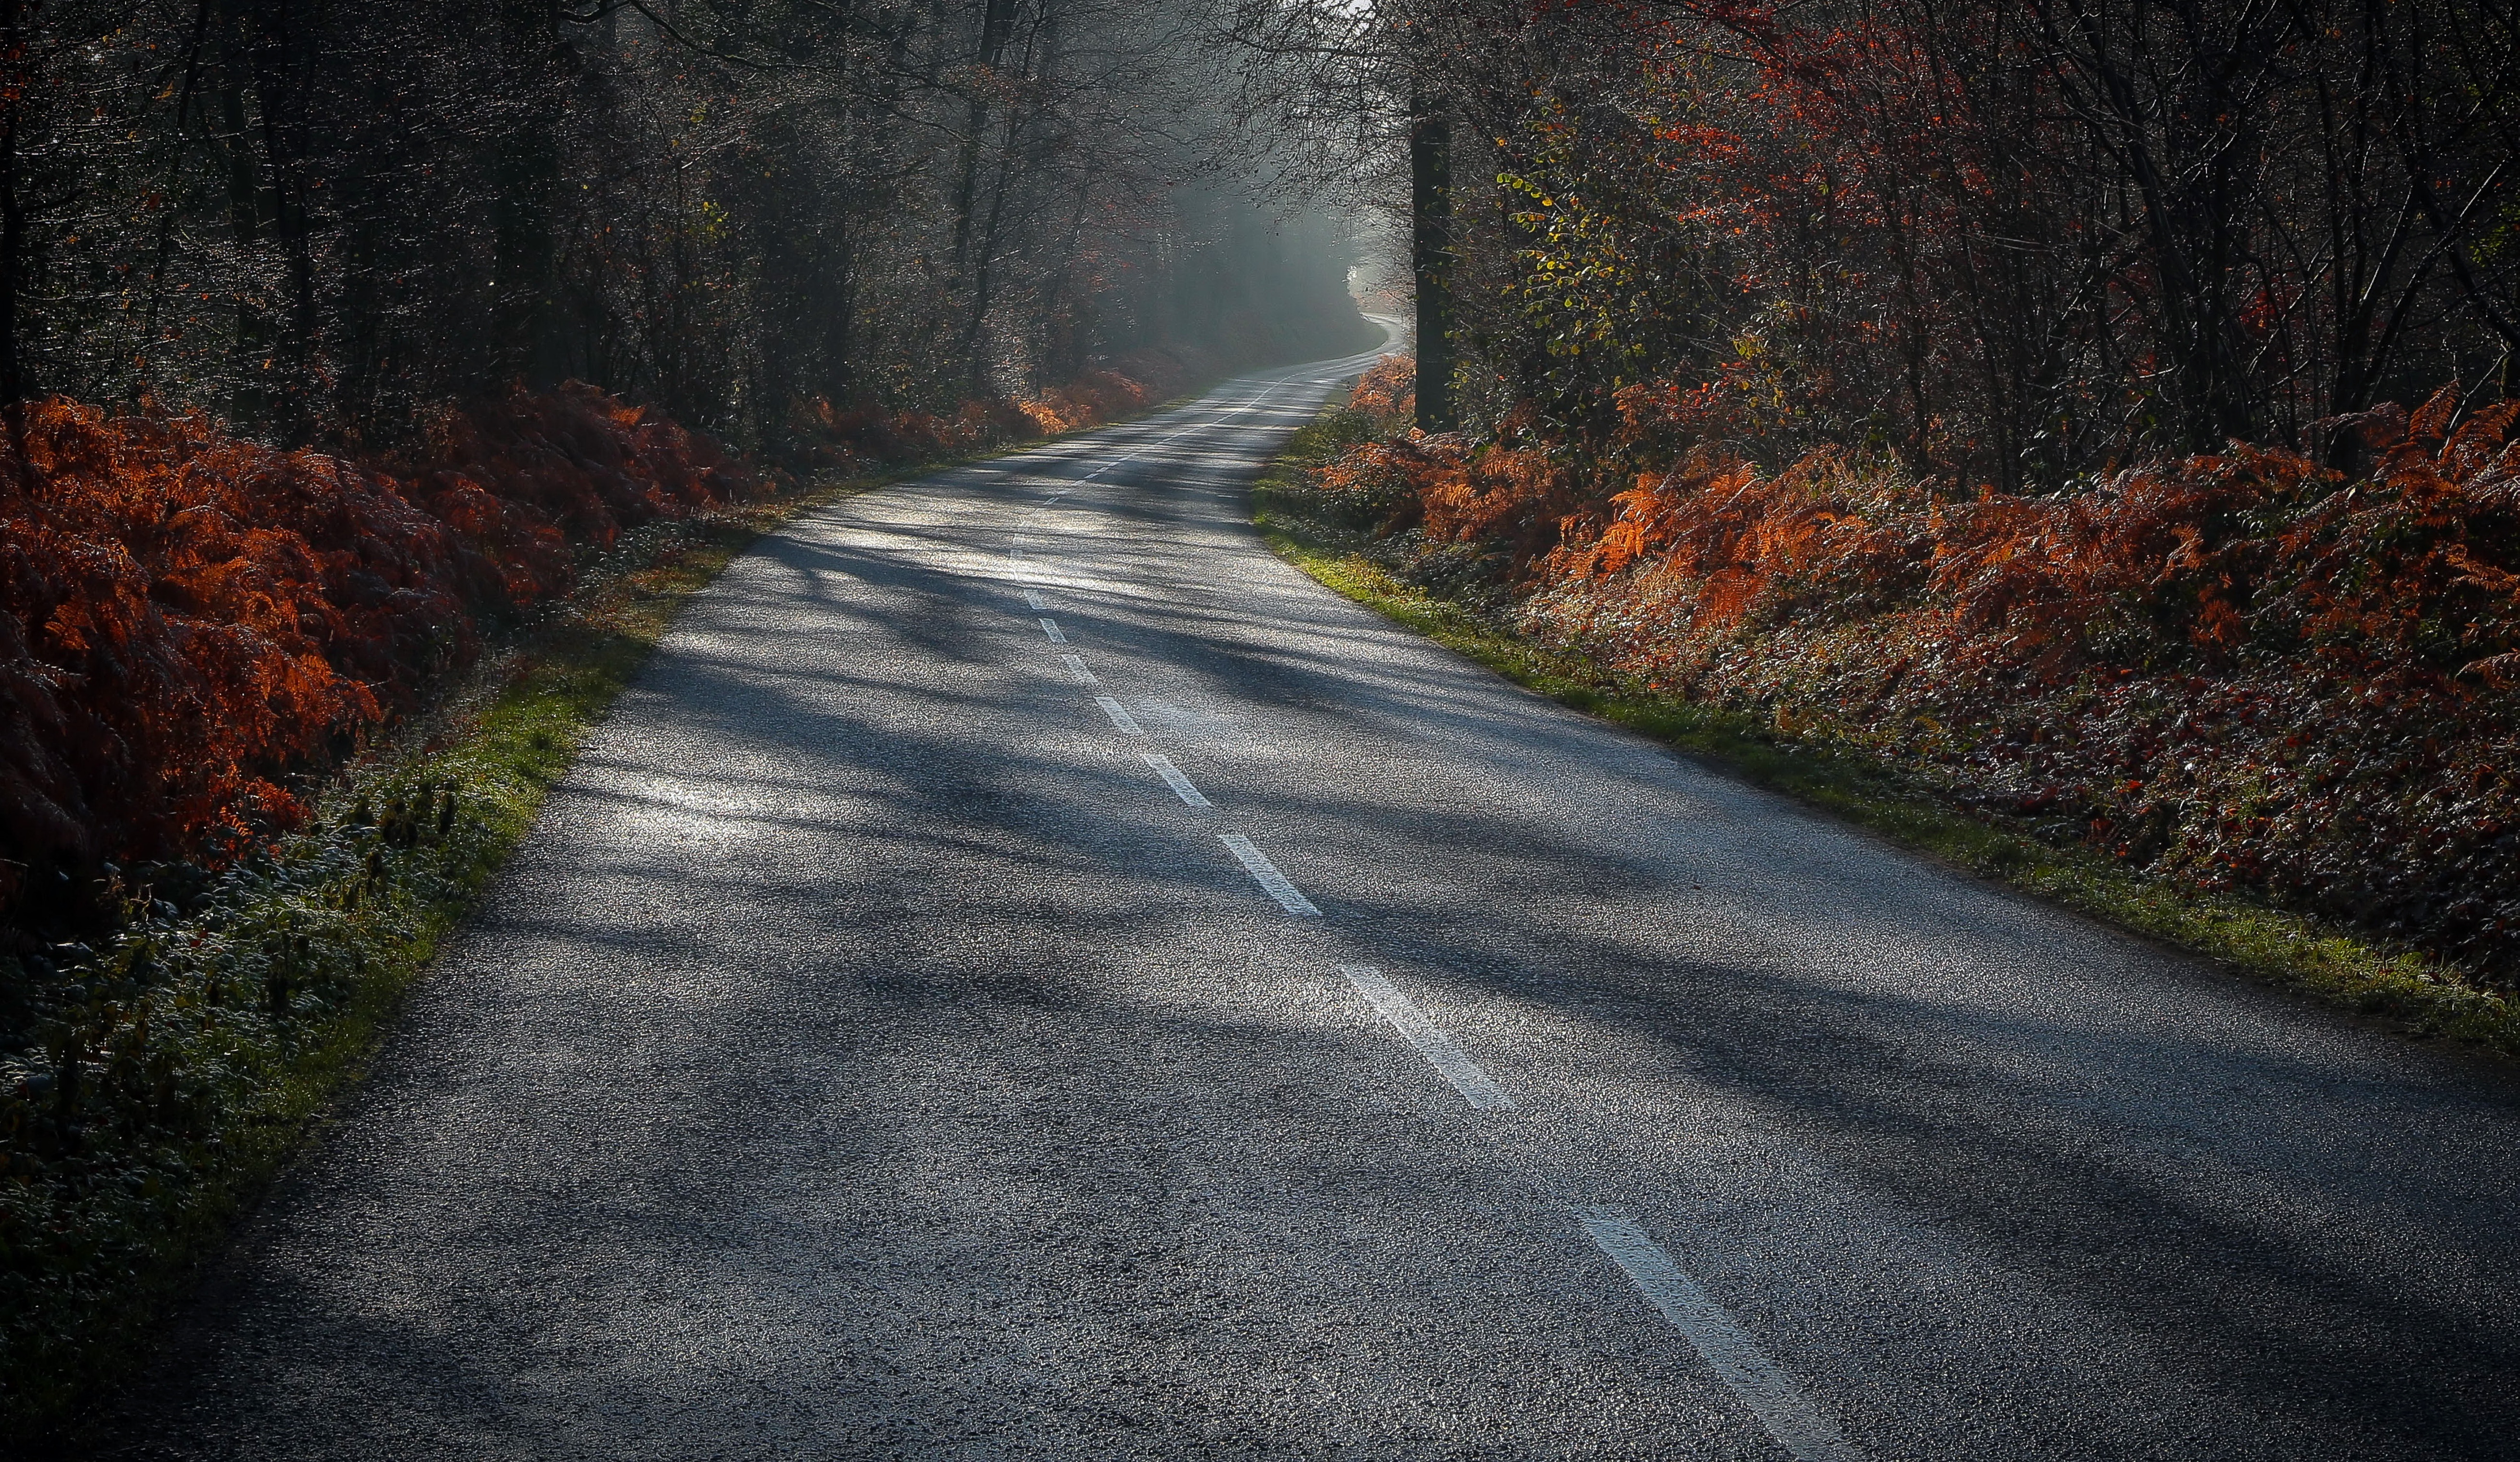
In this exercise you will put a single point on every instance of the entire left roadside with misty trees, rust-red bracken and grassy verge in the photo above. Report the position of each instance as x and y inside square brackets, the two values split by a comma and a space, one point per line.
[374, 384]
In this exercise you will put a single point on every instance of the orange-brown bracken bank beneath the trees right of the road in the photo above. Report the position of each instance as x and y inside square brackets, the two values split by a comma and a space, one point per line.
[2242, 669]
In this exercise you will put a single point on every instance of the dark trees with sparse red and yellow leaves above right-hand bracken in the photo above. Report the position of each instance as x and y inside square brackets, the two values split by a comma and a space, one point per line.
[2002, 243]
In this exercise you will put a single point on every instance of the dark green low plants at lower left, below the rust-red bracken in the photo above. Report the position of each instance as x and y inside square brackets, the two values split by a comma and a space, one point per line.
[175, 1068]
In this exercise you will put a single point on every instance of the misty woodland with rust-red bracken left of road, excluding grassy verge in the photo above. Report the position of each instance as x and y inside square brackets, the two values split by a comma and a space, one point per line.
[493, 263]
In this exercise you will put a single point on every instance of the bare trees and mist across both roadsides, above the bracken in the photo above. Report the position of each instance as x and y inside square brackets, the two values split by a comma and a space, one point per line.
[2012, 243]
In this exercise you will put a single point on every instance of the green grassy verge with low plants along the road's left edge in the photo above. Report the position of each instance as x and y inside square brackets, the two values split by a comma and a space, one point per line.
[208, 1045]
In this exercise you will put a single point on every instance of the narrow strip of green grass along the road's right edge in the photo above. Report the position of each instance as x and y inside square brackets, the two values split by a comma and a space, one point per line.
[2287, 949]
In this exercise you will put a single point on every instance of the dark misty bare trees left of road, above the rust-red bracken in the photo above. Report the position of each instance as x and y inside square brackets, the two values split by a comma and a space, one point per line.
[321, 221]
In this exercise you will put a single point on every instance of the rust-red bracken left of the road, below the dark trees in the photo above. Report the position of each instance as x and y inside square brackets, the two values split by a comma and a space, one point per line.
[185, 619]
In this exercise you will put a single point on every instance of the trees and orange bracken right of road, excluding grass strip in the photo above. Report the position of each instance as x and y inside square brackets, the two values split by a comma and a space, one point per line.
[2098, 410]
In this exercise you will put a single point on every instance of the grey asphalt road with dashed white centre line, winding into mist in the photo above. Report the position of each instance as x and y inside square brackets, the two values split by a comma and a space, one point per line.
[878, 1055]
